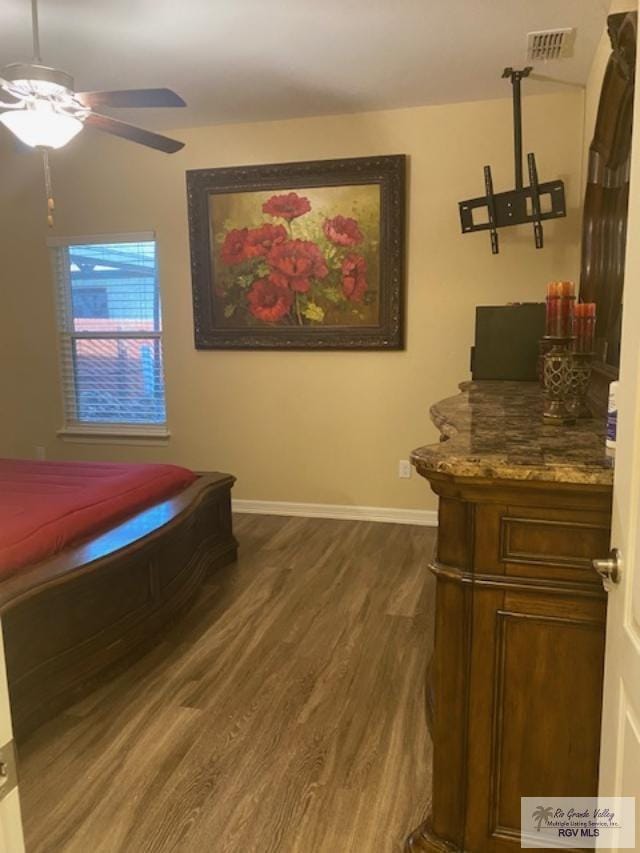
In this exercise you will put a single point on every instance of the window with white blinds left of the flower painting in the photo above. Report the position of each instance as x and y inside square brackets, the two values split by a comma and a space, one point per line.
[110, 335]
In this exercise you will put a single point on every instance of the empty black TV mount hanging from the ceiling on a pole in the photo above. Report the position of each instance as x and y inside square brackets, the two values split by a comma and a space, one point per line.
[532, 204]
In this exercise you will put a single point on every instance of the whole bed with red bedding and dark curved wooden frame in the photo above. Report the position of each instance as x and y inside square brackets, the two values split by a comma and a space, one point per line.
[95, 560]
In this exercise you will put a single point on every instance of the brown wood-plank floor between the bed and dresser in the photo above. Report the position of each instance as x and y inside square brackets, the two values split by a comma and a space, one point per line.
[284, 713]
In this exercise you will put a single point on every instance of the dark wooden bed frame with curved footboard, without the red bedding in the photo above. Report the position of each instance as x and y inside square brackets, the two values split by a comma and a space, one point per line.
[70, 620]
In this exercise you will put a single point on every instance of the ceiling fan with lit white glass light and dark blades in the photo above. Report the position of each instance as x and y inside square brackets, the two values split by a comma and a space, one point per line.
[39, 105]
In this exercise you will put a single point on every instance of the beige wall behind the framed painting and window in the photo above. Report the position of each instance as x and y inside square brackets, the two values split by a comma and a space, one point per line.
[317, 427]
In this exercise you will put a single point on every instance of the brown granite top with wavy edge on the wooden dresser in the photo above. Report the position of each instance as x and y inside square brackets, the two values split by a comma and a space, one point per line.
[495, 430]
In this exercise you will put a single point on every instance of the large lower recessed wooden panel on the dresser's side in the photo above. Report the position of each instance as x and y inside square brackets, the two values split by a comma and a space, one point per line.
[536, 679]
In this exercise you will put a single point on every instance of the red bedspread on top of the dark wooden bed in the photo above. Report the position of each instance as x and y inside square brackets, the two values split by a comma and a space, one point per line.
[46, 506]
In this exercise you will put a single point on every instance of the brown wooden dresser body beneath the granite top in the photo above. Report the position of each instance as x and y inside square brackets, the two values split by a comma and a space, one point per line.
[514, 686]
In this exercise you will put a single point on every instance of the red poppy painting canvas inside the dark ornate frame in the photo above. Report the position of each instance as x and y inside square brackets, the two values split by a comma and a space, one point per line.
[285, 262]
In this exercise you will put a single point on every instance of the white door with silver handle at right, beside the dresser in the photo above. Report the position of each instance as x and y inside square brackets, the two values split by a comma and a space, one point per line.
[620, 746]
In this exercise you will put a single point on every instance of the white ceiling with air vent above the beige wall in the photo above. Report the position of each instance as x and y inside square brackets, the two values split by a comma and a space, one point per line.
[250, 60]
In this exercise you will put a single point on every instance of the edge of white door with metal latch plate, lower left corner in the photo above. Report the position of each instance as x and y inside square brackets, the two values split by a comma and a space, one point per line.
[11, 840]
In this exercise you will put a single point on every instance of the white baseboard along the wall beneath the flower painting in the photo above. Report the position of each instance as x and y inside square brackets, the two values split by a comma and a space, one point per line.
[427, 518]
